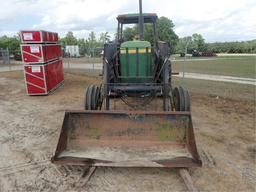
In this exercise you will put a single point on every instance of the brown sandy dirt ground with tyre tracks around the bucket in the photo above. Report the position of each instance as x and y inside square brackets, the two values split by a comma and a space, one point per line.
[30, 126]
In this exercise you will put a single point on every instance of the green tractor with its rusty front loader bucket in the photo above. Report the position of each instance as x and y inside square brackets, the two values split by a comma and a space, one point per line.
[100, 136]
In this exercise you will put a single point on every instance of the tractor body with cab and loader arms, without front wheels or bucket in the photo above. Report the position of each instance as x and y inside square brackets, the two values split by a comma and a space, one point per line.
[136, 67]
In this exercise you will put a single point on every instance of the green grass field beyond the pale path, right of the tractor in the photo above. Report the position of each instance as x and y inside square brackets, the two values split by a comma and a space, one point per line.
[239, 66]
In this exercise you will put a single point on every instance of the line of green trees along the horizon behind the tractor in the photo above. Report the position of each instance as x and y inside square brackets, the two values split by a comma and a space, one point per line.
[166, 33]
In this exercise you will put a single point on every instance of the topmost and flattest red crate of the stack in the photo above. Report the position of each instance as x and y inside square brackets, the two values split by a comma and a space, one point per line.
[30, 36]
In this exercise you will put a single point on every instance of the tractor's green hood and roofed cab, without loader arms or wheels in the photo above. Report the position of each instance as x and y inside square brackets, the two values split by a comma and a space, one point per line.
[135, 56]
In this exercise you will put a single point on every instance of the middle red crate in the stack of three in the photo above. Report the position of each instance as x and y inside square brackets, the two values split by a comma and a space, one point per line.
[35, 53]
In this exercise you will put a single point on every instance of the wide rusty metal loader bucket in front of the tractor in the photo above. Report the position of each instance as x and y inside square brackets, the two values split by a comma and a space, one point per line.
[127, 139]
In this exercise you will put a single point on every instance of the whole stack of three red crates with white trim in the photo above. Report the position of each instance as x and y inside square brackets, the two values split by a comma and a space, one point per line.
[43, 69]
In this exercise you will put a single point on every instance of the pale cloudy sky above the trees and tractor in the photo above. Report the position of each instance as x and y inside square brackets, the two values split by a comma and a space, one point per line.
[216, 20]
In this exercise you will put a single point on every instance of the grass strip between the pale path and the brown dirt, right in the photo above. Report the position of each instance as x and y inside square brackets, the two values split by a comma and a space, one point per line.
[215, 88]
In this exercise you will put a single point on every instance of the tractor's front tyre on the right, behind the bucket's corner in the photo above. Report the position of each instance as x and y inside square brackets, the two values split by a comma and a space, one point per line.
[181, 99]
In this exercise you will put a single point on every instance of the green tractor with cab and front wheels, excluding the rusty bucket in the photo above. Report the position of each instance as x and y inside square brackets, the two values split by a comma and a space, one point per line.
[137, 69]
